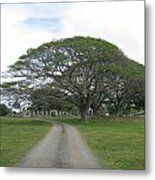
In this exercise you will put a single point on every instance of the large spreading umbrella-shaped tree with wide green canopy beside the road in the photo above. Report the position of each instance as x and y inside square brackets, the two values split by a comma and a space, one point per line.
[84, 70]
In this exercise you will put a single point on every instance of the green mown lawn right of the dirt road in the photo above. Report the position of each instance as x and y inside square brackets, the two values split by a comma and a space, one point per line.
[117, 143]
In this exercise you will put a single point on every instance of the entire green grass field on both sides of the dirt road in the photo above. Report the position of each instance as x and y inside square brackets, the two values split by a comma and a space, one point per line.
[118, 143]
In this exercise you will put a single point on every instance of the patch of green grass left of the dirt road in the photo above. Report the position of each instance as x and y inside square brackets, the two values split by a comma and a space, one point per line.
[18, 135]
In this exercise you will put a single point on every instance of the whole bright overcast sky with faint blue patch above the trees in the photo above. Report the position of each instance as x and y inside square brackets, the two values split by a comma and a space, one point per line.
[29, 25]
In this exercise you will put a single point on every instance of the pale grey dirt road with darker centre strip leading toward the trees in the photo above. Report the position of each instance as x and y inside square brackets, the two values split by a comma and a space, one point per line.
[63, 147]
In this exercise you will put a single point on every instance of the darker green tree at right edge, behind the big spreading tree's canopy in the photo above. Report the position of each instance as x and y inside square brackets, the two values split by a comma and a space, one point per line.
[126, 87]
